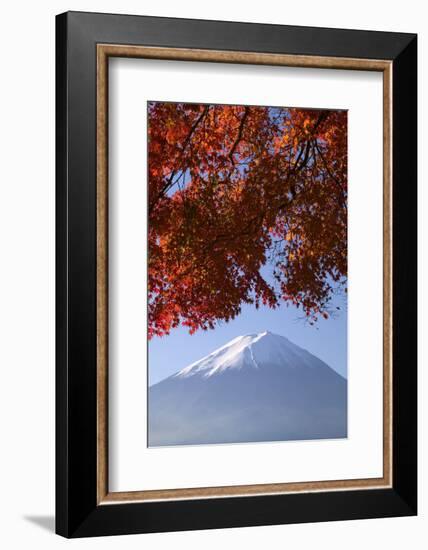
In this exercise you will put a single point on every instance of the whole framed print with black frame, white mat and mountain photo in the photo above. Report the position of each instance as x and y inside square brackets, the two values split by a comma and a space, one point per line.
[236, 274]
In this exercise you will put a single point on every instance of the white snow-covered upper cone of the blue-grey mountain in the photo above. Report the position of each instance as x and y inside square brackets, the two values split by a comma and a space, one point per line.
[248, 351]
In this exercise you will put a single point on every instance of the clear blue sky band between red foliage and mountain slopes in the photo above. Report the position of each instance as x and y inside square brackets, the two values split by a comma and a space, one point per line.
[327, 339]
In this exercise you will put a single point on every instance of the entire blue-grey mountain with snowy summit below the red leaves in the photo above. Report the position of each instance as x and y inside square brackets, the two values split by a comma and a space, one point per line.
[258, 387]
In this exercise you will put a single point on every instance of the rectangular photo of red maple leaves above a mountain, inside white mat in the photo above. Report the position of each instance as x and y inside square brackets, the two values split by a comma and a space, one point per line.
[247, 273]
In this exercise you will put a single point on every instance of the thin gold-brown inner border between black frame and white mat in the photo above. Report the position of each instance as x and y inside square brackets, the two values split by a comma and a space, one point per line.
[104, 51]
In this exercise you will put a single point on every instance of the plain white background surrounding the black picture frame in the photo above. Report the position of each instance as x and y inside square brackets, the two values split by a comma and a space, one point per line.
[27, 88]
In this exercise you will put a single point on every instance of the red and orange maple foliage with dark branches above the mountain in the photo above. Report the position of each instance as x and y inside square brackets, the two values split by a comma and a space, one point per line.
[246, 205]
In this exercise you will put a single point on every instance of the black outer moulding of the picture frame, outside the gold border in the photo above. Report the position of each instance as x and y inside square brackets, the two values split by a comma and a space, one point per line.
[77, 511]
